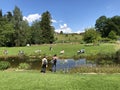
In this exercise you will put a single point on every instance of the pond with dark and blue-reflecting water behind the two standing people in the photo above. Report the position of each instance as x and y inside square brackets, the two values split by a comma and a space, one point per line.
[61, 64]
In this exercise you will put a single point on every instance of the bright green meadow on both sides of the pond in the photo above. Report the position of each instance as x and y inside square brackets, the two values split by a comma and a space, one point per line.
[34, 80]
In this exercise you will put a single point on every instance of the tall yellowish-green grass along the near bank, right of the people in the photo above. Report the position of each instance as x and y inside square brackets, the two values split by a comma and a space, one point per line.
[97, 69]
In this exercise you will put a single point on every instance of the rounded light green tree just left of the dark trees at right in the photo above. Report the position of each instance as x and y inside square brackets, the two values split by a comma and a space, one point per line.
[91, 36]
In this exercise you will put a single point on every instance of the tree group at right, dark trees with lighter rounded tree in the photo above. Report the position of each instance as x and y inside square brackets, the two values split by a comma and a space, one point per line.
[106, 29]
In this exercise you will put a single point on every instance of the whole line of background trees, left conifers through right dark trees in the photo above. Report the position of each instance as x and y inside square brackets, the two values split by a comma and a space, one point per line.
[14, 31]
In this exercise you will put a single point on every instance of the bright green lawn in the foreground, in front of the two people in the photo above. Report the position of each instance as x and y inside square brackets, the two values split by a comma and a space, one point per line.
[34, 80]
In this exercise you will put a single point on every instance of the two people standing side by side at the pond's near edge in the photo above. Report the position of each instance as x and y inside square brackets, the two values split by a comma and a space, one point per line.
[45, 64]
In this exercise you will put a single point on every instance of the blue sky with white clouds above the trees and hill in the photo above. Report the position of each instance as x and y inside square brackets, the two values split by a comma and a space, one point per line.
[69, 16]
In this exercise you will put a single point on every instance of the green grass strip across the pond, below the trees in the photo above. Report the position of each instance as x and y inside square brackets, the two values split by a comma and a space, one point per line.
[70, 49]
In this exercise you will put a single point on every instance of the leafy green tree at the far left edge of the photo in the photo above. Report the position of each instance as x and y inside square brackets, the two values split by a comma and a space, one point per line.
[6, 31]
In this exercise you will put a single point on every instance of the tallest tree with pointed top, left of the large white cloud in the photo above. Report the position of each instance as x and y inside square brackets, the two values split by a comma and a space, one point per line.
[21, 28]
